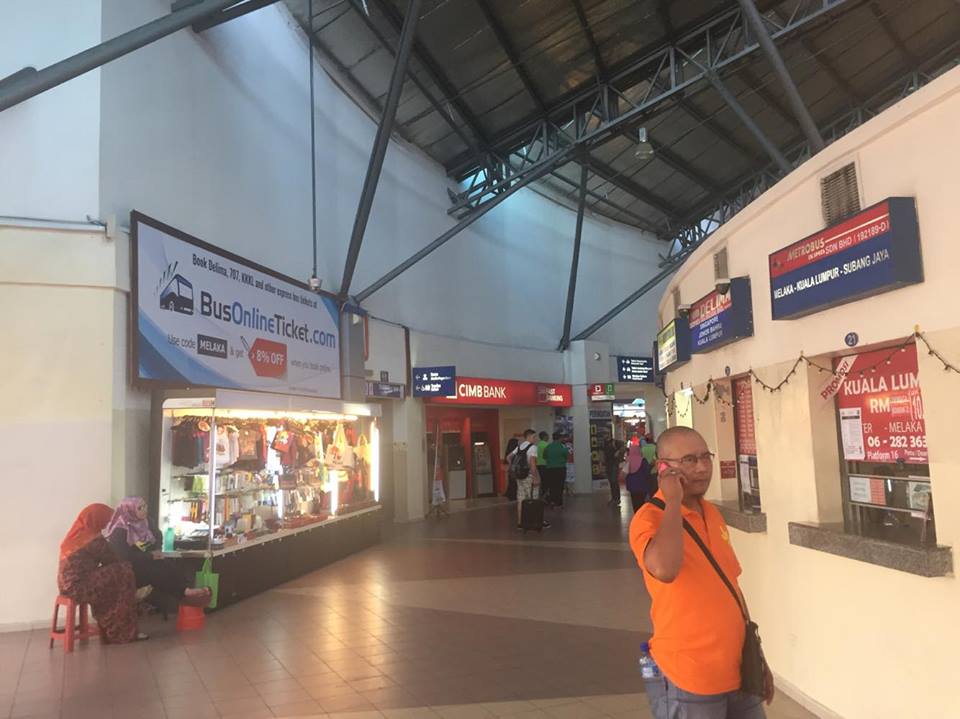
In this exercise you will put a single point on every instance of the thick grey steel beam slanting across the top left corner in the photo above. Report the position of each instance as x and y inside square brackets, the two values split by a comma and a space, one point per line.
[34, 83]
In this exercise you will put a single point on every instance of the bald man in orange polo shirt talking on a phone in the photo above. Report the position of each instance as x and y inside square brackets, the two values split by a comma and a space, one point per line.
[698, 627]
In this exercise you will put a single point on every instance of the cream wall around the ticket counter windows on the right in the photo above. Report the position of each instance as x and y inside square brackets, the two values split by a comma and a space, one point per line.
[864, 641]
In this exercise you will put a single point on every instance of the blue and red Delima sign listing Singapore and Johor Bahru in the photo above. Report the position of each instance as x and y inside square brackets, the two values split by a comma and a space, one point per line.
[718, 319]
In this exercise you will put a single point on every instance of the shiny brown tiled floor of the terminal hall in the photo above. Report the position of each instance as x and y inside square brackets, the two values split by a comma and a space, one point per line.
[454, 619]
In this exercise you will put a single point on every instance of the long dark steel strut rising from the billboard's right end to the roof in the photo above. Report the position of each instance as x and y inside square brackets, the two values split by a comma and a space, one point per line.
[379, 151]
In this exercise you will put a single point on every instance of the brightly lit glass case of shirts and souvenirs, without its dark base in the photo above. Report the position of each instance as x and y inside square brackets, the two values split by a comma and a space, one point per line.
[242, 467]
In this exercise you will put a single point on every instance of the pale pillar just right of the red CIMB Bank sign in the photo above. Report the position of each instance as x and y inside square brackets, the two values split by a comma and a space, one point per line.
[586, 362]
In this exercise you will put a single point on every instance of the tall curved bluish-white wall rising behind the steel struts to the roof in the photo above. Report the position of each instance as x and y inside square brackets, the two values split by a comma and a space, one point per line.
[210, 133]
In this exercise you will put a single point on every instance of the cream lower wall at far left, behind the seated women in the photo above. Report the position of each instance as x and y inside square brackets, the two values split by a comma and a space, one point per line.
[60, 412]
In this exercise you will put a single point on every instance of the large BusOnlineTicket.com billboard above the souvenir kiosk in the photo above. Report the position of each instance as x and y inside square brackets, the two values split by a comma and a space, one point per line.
[207, 318]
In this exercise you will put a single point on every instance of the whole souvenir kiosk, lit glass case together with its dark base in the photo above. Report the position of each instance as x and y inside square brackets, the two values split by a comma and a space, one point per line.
[269, 486]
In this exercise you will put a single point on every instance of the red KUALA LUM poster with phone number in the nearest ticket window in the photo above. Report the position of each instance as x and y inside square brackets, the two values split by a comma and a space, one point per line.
[881, 410]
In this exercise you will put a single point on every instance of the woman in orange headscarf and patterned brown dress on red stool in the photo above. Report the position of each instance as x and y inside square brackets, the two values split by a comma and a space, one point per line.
[90, 572]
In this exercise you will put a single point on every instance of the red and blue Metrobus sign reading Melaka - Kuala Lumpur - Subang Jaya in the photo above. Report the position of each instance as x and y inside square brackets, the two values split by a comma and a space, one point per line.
[875, 251]
